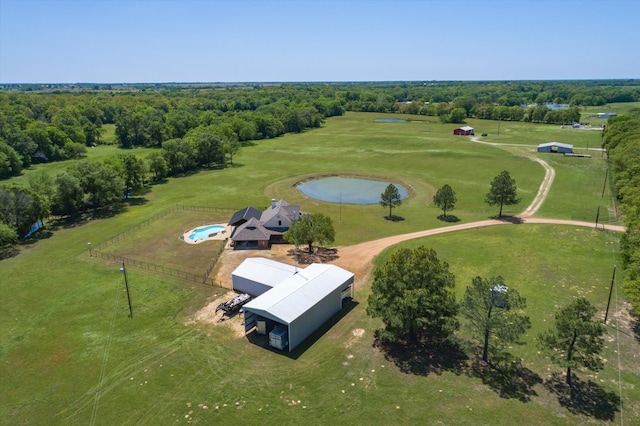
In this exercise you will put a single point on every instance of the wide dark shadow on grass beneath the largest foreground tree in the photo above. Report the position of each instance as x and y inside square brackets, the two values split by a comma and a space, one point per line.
[423, 359]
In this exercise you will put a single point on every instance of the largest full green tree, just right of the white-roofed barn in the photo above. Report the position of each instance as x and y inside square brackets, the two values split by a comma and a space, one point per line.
[413, 295]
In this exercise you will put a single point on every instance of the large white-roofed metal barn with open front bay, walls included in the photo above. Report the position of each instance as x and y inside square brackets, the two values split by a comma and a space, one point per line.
[301, 303]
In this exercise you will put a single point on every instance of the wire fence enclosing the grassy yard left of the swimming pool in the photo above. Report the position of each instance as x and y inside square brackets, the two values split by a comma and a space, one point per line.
[173, 272]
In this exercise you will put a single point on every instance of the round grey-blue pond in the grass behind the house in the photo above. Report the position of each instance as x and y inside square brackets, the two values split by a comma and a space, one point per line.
[348, 190]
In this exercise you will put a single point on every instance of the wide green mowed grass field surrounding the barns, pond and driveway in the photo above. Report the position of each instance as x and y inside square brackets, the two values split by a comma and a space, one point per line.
[70, 354]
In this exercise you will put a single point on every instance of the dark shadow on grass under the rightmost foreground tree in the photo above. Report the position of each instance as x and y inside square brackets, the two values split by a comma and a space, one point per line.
[586, 398]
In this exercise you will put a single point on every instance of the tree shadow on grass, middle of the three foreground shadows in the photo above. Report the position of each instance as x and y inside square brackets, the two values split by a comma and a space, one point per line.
[507, 377]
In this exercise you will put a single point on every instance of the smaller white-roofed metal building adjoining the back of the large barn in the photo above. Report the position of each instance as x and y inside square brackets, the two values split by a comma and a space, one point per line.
[257, 275]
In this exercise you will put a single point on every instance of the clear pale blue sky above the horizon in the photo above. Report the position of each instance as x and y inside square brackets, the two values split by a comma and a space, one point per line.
[96, 41]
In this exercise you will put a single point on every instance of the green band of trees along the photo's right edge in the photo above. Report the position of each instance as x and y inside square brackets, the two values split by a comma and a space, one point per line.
[622, 139]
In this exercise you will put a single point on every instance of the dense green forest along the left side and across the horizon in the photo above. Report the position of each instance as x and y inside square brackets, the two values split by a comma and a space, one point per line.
[188, 127]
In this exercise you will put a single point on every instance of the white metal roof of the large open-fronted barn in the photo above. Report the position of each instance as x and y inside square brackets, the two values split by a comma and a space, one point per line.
[300, 292]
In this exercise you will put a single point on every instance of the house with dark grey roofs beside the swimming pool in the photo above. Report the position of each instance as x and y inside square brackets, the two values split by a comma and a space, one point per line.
[256, 229]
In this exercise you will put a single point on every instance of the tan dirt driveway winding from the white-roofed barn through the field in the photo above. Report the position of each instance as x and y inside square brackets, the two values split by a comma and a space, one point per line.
[359, 258]
